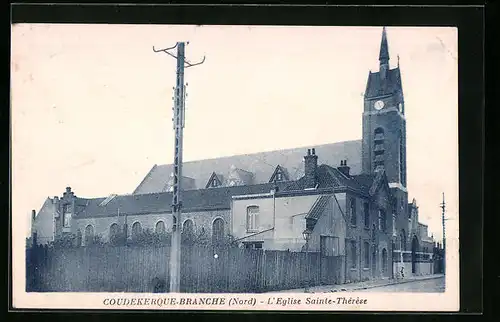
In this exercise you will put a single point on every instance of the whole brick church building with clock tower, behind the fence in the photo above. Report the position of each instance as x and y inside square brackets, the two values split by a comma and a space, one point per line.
[350, 197]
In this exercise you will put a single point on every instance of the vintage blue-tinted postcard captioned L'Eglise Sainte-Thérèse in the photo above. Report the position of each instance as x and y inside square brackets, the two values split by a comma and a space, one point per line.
[179, 167]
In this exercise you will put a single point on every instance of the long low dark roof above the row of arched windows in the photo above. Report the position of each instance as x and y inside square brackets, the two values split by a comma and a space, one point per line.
[193, 200]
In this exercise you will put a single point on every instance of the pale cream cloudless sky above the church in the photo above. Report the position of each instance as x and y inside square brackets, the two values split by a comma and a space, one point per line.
[91, 104]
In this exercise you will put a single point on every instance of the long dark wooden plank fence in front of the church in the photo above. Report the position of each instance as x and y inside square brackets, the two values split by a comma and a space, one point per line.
[146, 269]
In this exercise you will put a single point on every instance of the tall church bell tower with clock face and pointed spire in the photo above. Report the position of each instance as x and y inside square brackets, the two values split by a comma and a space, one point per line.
[384, 122]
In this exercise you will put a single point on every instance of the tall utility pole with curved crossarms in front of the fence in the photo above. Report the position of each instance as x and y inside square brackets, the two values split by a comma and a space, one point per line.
[178, 125]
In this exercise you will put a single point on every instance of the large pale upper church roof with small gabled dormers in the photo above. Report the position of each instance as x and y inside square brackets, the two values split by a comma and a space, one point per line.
[261, 165]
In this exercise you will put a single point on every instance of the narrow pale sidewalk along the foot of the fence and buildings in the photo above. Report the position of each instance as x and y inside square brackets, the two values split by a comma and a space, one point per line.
[361, 285]
